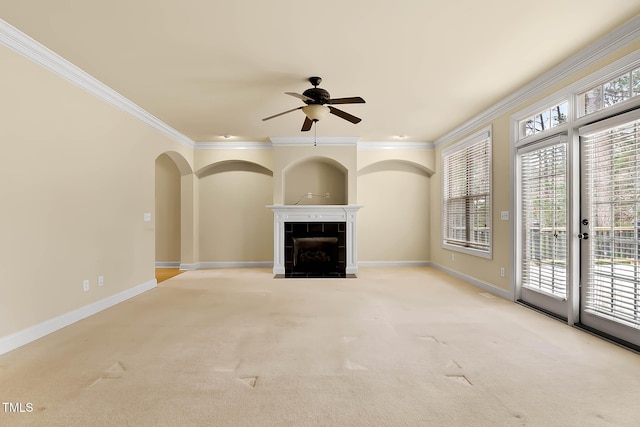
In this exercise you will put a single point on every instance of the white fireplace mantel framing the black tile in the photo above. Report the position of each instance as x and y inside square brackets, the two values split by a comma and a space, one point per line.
[315, 213]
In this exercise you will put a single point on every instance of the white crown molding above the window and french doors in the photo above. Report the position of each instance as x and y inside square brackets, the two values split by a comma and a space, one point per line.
[604, 46]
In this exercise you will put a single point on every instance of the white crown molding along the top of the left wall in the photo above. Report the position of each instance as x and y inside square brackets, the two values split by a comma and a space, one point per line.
[24, 45]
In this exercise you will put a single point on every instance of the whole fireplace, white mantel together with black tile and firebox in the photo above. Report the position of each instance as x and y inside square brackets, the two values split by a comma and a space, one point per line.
[314, 240]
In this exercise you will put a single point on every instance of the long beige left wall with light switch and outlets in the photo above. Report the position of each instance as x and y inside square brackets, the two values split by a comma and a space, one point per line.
[77, 178]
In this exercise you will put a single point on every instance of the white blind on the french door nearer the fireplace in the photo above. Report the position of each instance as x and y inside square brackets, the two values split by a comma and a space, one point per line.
[544, 213]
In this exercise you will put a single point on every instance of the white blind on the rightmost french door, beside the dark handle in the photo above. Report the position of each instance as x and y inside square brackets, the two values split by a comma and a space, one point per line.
[611, 160]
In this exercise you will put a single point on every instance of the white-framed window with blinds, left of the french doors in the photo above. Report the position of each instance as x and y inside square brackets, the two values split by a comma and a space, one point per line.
[467, 196]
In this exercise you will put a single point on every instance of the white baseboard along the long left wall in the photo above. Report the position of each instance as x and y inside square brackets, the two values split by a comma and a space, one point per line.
[18, 339]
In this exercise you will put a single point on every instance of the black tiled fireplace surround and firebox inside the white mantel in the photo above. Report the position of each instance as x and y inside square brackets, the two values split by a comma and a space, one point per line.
[315, 249]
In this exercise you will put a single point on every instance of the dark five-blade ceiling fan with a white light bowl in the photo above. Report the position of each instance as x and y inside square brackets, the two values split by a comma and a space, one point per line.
[316, 98]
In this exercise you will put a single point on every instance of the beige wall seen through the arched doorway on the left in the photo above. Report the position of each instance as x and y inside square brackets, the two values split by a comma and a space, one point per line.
[168, 207]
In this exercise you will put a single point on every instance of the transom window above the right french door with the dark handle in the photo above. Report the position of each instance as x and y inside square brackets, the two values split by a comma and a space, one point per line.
[611, 92]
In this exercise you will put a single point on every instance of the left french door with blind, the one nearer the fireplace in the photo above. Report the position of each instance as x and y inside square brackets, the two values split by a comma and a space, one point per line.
[542, 252]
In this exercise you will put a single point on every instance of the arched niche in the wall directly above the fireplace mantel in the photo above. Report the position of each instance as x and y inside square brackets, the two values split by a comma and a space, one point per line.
[316, 175]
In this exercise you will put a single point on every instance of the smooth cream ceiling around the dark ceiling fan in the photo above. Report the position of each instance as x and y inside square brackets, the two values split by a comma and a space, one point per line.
[217, 67]
